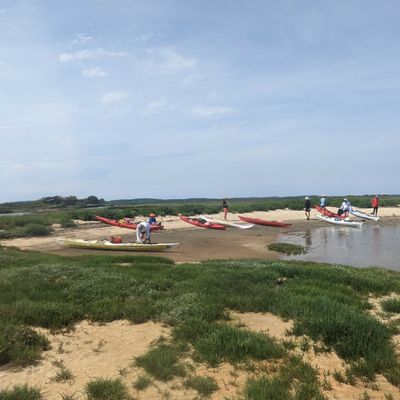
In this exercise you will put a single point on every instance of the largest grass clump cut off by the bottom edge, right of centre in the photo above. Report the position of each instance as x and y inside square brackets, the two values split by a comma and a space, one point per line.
[296, 380]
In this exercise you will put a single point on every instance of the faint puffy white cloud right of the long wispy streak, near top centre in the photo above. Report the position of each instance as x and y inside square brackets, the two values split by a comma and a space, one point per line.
[170, 60]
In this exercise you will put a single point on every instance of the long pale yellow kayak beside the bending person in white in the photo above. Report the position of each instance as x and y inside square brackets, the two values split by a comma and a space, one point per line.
[107, 245]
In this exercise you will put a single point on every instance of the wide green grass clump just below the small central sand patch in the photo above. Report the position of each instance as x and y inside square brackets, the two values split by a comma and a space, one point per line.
[218, 342]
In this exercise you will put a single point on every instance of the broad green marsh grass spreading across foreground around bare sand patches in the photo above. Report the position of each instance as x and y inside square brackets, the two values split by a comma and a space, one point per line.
[327, 303]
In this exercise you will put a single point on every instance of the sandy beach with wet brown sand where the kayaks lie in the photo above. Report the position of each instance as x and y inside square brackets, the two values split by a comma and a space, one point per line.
[196, 244]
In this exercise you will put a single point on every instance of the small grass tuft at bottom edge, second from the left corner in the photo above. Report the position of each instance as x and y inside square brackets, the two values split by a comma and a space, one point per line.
[106, 389]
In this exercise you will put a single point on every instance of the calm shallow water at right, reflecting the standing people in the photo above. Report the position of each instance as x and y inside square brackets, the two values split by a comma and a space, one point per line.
[372, 245]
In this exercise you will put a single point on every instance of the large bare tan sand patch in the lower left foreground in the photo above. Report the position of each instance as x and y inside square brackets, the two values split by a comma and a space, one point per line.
[88, 351]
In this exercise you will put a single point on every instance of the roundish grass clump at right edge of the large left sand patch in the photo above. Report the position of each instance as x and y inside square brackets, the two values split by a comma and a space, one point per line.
[162, 362]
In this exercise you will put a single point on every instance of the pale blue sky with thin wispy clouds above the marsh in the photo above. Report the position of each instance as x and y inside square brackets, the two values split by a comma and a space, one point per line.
[212, 98]
